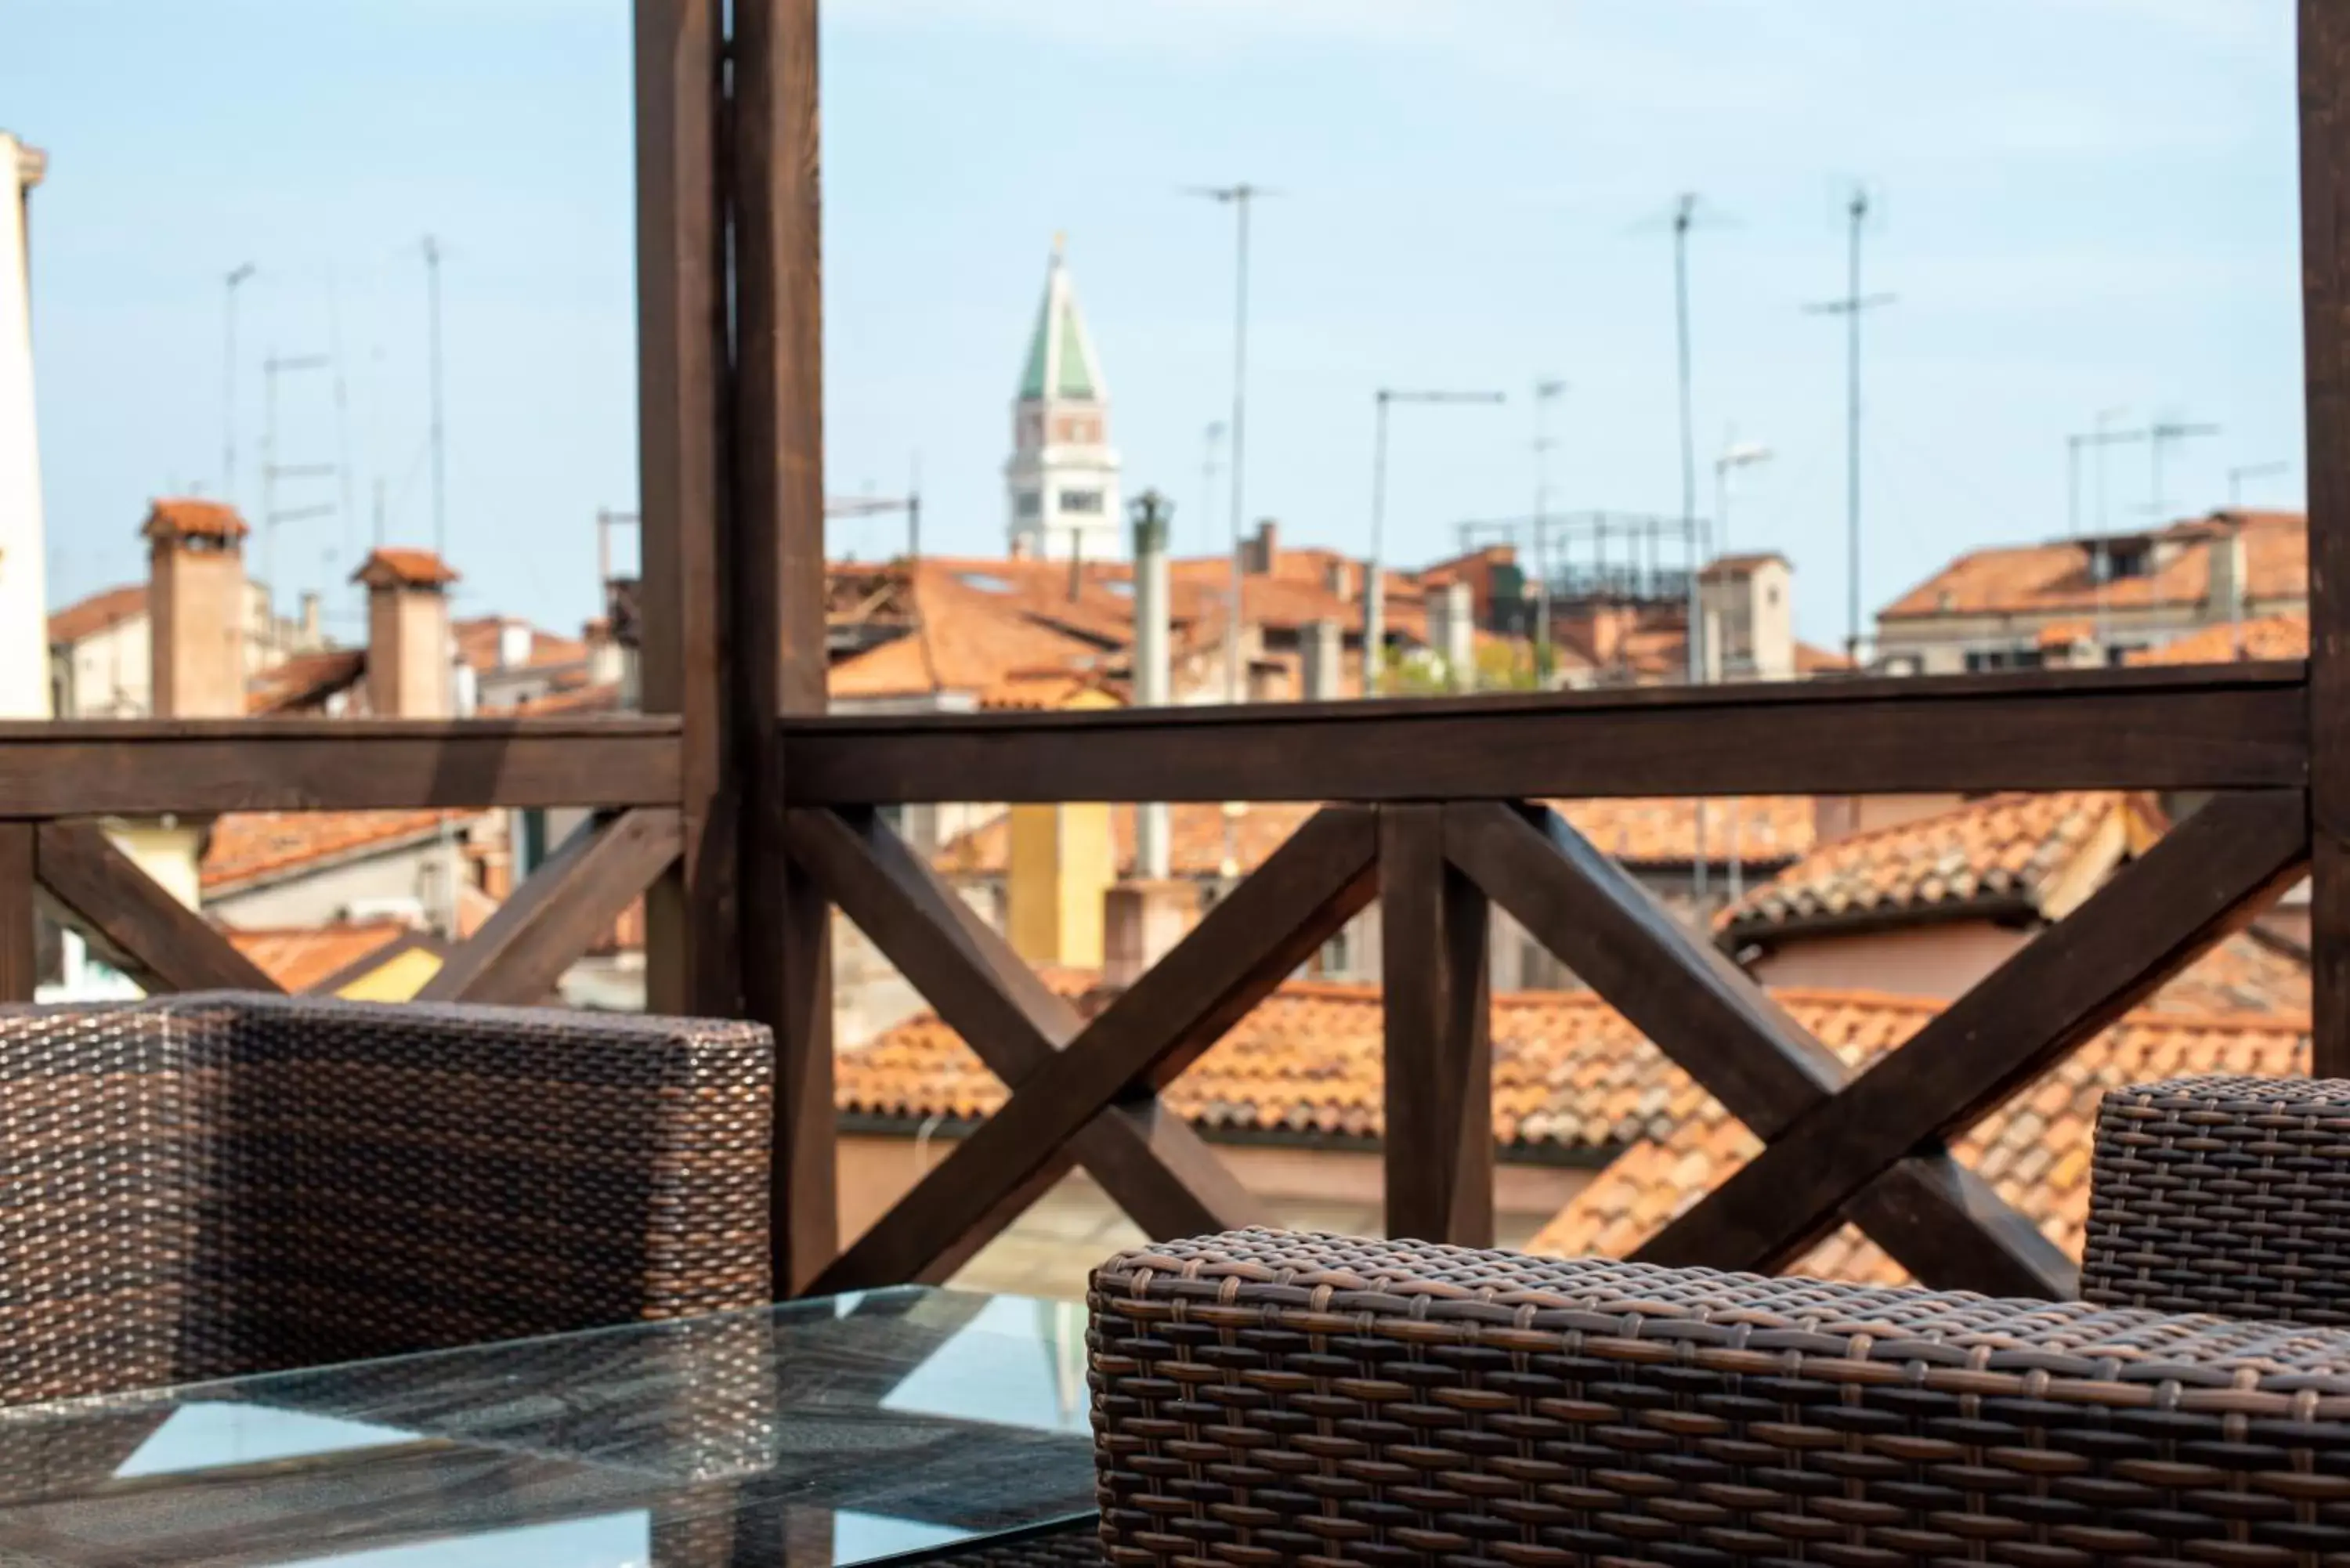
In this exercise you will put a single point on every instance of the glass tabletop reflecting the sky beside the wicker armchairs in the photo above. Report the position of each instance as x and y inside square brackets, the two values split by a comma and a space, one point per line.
[854, 1430]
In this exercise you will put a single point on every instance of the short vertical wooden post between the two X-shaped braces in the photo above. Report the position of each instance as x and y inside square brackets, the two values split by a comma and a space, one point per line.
[1439, 1050]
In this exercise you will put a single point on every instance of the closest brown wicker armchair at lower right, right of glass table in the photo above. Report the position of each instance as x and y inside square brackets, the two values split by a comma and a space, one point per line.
[1275, 1398]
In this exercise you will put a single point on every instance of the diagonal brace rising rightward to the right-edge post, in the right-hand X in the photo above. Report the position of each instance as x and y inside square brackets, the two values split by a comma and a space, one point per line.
[2158, 916]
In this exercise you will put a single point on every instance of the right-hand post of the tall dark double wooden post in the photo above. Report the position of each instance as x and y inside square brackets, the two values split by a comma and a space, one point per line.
[779, 514]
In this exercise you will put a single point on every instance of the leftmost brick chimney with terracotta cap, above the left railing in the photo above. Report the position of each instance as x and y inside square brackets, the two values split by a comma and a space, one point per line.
[196, 610]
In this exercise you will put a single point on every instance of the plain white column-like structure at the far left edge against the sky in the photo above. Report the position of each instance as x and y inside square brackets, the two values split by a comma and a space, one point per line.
[25, 619]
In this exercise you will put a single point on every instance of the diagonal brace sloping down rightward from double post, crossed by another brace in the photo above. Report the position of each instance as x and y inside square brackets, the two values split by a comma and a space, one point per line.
[1153, 1165]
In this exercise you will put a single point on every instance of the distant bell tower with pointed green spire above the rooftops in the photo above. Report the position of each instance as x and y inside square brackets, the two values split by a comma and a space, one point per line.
[1063, 476]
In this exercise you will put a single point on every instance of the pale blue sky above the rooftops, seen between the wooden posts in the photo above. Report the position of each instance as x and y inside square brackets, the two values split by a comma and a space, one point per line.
[2086, 203]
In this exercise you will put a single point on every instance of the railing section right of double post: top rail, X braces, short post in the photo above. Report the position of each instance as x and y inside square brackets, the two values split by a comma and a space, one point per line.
[1437, 831]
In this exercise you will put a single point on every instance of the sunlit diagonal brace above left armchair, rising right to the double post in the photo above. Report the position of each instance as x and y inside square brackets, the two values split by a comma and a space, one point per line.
[560, 911]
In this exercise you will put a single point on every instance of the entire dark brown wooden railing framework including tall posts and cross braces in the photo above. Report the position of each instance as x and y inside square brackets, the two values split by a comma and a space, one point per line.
[746, 812]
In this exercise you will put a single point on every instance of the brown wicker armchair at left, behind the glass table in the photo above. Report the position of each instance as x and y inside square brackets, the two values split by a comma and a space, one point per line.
[220, 1184]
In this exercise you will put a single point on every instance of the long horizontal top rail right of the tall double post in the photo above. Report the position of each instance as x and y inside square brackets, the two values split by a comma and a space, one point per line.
[2158, 730]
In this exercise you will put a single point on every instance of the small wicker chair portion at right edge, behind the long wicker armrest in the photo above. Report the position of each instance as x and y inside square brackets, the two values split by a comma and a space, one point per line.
[2224, 1195]
